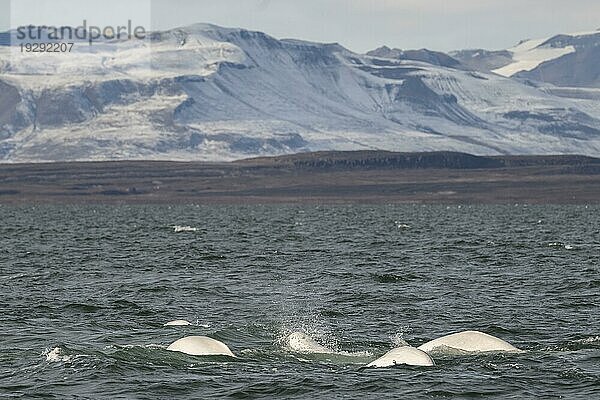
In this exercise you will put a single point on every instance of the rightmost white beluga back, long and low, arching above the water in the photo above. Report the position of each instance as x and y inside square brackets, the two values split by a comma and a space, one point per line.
[469, 341]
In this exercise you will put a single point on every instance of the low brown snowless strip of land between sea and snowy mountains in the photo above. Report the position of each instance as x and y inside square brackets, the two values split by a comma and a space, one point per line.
[323, 177]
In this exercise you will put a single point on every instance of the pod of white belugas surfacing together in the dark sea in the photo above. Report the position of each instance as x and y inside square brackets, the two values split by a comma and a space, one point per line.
[462, 342]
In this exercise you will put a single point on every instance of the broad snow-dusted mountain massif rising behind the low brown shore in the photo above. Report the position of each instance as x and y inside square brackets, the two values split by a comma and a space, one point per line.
[209, 93]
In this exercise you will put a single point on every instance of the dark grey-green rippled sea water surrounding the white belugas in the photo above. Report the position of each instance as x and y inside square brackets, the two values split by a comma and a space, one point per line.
[86, 291]
